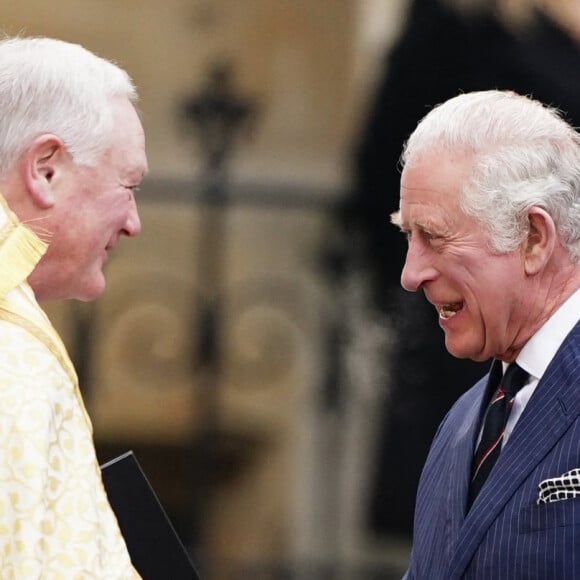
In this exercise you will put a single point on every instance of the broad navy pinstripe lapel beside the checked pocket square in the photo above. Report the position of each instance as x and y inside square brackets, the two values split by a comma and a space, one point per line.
[549, 413]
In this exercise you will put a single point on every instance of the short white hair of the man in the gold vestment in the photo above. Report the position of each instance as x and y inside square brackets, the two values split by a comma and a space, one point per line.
[52, 86]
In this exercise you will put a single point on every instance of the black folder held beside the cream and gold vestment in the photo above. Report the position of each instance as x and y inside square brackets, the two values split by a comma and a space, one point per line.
[156, 550]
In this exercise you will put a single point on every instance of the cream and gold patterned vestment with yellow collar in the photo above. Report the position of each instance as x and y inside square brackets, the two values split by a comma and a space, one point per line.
[55, 520]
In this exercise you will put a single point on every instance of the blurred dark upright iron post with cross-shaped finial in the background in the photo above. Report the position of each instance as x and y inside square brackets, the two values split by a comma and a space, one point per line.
[217, 116]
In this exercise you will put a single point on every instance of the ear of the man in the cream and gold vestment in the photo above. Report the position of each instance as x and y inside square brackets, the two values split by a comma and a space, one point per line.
[41, 164]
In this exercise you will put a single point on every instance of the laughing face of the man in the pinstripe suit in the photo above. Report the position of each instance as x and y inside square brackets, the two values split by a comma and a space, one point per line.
[481, 296]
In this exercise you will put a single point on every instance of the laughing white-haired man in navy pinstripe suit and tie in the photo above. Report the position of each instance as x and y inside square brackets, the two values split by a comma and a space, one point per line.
[490, 203]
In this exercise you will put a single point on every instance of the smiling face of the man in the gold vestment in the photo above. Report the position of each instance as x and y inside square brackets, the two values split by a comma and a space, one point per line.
[92, 208]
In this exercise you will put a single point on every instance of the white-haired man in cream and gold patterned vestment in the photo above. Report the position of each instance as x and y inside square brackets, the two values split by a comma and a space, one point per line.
[72, 152]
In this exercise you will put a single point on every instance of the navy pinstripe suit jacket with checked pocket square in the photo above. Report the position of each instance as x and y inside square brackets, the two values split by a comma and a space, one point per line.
[505, 535]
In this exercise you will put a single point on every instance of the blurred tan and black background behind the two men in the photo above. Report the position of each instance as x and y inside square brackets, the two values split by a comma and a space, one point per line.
[253, 347]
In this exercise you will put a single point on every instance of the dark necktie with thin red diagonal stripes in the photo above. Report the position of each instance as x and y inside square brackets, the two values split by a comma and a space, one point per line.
[494, 422]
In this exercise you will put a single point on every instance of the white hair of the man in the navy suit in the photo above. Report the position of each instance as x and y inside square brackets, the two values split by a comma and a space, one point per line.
[524, 154]
